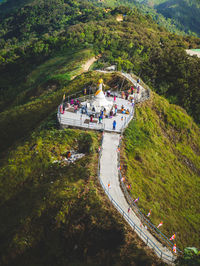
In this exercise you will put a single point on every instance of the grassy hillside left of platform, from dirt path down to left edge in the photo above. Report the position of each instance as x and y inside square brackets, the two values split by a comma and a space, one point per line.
[47, 82]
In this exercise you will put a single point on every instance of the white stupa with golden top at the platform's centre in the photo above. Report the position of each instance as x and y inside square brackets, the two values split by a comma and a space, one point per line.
[99, 102]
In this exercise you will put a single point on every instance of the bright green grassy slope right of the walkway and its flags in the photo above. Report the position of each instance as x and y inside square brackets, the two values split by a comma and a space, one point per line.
[162, 154]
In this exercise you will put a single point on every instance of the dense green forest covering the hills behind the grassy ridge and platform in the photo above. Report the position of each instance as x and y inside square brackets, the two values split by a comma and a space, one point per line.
[137, 44]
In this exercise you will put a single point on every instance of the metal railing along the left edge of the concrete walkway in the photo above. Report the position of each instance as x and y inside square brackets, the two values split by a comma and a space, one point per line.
[165, 257]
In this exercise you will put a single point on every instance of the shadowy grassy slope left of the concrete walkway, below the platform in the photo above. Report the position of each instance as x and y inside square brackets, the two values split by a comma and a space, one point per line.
[56, 214]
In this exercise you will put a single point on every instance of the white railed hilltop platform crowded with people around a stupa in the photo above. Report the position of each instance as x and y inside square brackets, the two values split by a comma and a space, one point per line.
[110, 111]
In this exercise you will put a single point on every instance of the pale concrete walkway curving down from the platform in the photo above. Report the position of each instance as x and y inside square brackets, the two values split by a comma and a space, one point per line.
[109, 175]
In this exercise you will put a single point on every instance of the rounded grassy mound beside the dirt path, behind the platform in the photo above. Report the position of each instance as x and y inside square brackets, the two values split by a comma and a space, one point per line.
[52, 75]
